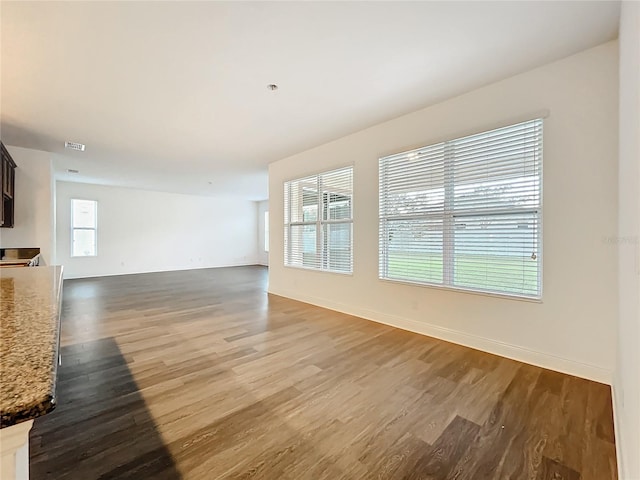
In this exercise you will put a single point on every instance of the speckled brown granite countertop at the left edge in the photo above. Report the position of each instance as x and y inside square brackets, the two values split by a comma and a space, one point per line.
[29, 341]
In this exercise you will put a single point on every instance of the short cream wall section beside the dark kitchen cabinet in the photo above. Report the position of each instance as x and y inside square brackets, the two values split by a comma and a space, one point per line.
[34, 204]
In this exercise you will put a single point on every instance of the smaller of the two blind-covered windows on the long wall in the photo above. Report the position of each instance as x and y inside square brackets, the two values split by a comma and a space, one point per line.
[318, 221]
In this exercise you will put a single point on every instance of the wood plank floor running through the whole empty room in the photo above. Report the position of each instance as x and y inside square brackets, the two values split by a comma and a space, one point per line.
[202, 375]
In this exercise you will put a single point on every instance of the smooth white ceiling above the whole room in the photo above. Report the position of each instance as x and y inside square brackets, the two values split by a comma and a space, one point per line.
[172, 96]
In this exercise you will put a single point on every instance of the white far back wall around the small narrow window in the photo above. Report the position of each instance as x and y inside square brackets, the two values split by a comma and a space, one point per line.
[144, 231]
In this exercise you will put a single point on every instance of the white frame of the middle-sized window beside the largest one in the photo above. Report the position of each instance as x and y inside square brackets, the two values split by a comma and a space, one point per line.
[320, 222]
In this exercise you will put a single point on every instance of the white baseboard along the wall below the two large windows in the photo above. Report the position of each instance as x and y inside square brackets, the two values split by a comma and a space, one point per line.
[514, 352]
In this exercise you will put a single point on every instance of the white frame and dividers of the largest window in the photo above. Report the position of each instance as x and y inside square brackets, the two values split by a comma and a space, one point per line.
[448, 217]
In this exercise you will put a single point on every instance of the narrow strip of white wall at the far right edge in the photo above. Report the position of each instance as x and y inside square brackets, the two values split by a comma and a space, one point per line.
[627, 379]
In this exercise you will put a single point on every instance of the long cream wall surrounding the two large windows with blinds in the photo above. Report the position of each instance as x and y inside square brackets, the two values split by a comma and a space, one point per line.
[573, 329]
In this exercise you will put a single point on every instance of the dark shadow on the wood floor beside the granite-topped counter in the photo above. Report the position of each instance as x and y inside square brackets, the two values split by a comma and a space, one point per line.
[101, 427]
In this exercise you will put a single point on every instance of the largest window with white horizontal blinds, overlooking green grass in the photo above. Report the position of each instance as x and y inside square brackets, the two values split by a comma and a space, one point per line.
[466, 213]
